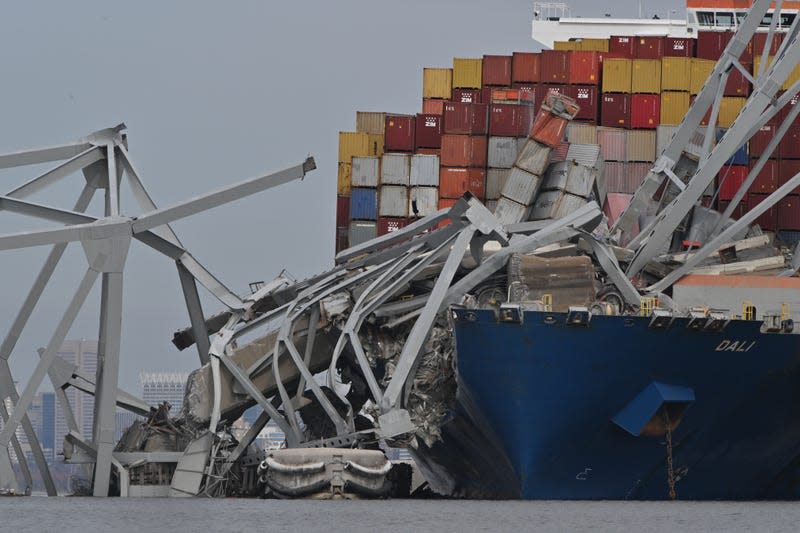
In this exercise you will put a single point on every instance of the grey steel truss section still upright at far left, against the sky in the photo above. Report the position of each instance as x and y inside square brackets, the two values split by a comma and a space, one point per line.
[105, 241]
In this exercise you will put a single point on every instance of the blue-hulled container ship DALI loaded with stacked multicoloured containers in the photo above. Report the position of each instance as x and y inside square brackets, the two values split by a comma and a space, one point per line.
[557, 403]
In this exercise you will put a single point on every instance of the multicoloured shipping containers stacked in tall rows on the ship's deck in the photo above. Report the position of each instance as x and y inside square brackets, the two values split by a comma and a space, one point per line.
[633, 92]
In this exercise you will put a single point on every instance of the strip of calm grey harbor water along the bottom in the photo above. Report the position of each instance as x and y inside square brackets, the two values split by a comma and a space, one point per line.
[202, 515]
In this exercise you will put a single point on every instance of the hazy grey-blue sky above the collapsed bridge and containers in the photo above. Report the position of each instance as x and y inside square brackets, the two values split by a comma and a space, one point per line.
[212, 93]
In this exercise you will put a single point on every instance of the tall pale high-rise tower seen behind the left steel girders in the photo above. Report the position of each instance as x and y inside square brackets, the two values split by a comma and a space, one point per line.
[83, 354]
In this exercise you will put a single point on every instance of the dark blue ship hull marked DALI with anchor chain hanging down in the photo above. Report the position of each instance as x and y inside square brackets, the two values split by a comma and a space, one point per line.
[548, 410]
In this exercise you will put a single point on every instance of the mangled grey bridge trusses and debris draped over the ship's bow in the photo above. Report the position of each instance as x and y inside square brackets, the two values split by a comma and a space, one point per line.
[365, 354]
